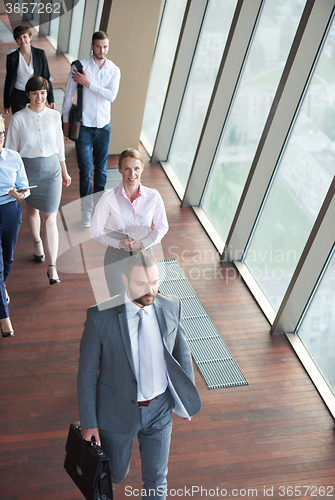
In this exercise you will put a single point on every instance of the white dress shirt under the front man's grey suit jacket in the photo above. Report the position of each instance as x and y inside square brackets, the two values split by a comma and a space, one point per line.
[158, 360]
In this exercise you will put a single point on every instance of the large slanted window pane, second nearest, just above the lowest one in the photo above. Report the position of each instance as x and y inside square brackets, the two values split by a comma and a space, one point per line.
[300, 185]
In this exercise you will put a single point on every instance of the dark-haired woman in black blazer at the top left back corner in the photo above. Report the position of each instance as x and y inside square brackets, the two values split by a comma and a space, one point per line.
[21, 65]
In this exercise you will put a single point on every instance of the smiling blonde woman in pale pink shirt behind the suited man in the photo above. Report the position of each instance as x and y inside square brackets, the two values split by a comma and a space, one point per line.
[135, 215]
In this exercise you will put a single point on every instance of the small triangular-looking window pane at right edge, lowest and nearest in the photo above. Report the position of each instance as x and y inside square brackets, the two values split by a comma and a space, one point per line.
[317, 331]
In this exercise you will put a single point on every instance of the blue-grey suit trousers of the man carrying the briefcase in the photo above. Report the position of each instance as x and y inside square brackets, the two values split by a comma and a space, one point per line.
[153, 429]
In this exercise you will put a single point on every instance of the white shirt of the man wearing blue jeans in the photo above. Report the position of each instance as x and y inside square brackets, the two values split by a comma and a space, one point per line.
[102, 91]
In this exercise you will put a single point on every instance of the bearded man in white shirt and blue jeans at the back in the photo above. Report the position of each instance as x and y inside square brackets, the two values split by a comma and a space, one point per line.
[100, 80]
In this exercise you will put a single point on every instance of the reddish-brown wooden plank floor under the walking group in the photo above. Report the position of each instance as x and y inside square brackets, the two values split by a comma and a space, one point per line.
[259, 440]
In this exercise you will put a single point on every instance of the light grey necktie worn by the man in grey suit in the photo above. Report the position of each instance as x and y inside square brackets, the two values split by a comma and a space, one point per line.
[145, 357]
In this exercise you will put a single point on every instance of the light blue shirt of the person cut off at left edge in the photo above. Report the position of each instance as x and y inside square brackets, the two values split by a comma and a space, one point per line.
[12, 174]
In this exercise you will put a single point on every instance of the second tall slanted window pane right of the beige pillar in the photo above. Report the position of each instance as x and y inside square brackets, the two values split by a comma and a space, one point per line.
[200, 86]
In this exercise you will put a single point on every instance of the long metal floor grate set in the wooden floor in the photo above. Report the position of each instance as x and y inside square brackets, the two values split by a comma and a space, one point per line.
[212, 357]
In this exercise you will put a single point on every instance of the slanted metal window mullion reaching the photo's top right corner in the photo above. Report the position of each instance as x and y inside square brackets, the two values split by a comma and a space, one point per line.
[292, 86]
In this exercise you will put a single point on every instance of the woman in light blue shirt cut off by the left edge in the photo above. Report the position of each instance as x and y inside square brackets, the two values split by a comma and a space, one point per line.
[13, 188]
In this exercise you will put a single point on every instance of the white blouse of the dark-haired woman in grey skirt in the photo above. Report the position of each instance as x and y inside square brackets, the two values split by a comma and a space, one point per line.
[36, 134]
